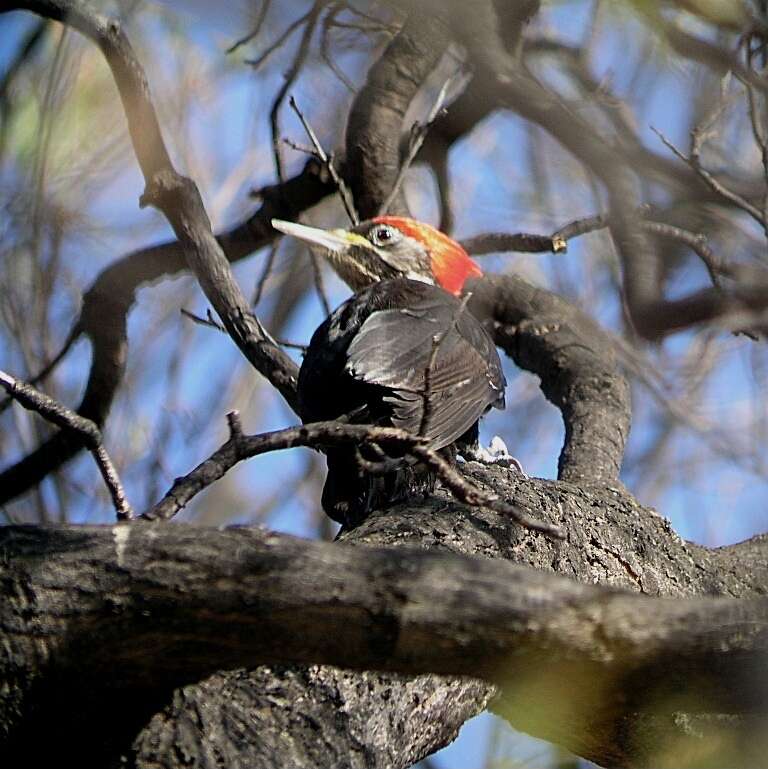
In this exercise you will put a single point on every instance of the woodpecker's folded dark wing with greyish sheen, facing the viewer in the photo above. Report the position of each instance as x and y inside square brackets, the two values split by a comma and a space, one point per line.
[395, 348]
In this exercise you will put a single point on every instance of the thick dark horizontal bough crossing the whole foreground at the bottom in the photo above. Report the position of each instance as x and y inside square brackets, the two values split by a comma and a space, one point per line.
[246, 600]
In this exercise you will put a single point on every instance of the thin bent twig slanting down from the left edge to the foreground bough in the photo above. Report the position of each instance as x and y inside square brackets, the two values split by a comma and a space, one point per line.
[61, 416]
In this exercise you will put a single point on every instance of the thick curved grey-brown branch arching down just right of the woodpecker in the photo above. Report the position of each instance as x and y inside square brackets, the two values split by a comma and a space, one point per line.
[545, 334]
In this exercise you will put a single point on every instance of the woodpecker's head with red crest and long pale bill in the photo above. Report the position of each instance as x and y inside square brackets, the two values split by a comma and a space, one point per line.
[389, 247]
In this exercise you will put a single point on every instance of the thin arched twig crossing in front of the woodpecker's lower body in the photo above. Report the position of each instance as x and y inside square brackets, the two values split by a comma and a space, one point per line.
[319, 435]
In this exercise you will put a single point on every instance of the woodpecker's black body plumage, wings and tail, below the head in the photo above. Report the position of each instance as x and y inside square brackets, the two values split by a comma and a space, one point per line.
[369, 360]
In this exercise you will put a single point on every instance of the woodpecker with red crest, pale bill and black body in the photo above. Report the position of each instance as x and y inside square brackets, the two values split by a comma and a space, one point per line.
[404, 341]
